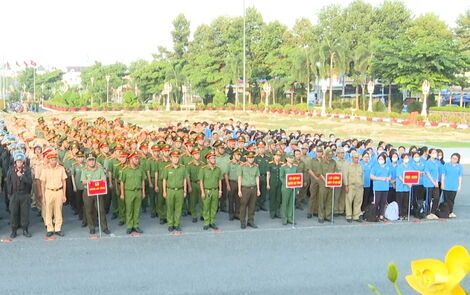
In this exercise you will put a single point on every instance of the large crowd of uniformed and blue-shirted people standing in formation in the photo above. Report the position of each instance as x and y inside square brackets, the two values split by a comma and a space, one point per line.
[179, 170]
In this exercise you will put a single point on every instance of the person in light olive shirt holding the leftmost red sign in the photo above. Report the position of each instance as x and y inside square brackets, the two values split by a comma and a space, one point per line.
[93, 172]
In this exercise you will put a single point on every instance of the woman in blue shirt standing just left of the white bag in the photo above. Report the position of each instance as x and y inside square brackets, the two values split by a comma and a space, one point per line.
[381, 176]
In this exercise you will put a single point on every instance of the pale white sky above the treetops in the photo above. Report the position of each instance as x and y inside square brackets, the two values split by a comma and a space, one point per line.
[64, 33]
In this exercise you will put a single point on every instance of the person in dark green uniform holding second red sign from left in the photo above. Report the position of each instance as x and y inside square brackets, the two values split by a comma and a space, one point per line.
[287, 193]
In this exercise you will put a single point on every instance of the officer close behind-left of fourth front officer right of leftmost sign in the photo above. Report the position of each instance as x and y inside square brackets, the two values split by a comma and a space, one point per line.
[231, 178]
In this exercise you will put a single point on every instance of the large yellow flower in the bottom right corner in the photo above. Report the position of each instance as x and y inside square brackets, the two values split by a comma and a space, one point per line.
[434, 277]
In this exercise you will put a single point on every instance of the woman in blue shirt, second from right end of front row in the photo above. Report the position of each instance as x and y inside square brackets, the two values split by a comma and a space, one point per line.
[431, 184]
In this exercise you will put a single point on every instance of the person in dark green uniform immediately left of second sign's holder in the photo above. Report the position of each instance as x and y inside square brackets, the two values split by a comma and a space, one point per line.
[274, 185]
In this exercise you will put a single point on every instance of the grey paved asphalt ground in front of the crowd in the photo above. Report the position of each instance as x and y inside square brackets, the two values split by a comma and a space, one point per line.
[311, 259]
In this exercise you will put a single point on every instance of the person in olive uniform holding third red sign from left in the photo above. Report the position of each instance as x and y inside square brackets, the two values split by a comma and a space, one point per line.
[327, 165]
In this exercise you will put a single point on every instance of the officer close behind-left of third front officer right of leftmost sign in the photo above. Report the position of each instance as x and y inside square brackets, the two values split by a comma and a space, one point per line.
[194, 189]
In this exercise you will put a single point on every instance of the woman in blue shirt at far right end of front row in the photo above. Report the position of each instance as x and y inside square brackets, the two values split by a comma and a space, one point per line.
[452, 174]
